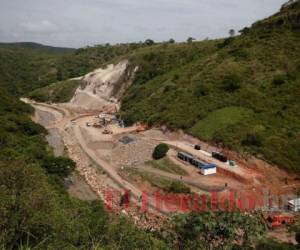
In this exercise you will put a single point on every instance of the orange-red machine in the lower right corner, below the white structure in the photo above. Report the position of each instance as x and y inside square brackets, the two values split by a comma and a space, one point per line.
[276, 220]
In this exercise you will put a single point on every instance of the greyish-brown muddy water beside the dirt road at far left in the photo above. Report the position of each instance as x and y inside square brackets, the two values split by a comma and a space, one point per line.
[54, 138]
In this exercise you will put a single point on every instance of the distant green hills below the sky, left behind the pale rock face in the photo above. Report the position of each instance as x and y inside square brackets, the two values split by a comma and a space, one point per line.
[26, 67]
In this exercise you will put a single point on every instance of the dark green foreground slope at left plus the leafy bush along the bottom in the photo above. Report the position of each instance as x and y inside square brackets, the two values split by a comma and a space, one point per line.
[37, 213]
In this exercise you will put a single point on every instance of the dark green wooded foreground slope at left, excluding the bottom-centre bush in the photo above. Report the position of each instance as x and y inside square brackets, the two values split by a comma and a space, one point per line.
[35, 211]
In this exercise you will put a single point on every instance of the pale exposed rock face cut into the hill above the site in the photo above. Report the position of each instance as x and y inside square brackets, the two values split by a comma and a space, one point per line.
[103, 87]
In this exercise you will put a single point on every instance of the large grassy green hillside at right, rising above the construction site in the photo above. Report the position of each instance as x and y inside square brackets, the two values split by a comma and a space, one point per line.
[241, 92]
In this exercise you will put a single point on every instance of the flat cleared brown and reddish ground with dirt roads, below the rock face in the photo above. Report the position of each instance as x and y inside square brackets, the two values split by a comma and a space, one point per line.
[104, 161]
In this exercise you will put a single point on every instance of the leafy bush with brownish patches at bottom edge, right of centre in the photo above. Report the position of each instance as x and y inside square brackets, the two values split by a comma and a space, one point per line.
[220, 230]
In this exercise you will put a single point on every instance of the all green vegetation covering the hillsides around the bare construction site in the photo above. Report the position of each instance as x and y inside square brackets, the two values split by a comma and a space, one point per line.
[242, 92]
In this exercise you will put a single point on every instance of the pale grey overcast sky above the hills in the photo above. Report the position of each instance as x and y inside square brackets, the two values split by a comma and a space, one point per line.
[77, 23]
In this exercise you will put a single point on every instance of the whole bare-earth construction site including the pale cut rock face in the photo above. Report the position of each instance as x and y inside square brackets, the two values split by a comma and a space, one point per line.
[110, 156]
